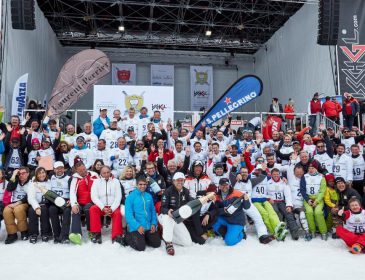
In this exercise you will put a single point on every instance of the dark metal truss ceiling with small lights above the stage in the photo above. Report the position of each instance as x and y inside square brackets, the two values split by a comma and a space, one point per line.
[235, 26]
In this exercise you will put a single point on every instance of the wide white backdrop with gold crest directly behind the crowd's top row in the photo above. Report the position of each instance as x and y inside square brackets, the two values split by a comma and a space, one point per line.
[123, 97]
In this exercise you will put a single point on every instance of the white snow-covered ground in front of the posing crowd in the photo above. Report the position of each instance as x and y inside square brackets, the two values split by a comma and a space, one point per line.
[248, 260]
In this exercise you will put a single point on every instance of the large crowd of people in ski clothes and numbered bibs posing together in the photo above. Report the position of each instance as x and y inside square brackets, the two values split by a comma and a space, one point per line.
[134, 172]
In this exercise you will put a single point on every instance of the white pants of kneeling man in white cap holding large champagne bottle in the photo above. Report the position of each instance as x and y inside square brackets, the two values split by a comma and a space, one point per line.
[173, 232]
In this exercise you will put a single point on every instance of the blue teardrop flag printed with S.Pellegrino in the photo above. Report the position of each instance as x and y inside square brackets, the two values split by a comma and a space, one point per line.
[240, 93]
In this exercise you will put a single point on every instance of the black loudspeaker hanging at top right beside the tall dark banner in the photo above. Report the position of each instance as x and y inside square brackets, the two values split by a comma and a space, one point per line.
[328, 22]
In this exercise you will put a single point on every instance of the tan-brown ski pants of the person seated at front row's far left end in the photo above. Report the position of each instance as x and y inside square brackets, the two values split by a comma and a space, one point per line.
[18, 213]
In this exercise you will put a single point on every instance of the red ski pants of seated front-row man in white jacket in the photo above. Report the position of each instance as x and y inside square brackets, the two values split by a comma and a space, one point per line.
[95, 221]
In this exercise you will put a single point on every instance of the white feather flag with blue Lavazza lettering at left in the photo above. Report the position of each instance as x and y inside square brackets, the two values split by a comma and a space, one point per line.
[20, 96]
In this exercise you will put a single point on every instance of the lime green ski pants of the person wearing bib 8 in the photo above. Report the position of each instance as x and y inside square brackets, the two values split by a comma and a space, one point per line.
[315, 216]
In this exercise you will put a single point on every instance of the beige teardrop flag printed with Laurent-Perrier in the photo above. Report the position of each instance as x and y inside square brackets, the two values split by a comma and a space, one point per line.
[77, 76]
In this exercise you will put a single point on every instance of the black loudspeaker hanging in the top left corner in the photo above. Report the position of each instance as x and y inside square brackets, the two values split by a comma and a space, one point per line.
[22, 14]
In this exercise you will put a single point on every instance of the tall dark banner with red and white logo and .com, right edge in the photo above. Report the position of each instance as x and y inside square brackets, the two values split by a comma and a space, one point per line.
[351, 48]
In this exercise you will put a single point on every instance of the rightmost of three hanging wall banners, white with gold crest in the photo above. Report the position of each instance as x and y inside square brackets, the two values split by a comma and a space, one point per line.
[201, 80]
